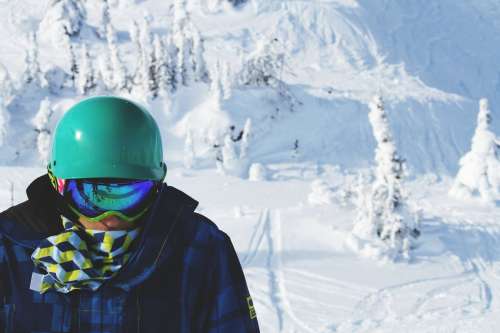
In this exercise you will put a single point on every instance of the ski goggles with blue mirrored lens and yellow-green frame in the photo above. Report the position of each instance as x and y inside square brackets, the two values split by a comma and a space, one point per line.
[99, 198]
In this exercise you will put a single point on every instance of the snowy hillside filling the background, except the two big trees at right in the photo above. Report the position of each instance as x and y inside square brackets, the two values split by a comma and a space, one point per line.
[279, 158]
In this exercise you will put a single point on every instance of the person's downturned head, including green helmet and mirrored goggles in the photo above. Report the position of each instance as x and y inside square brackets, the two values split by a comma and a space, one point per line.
[107, 162]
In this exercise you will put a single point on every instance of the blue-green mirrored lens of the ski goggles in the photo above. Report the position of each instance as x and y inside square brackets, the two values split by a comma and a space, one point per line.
[95, 197]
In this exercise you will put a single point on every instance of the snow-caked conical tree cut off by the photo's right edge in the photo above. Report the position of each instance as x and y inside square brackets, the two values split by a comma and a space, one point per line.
[479, 173]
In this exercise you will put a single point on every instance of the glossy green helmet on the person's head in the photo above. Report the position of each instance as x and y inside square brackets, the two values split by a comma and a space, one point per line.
[107, 137]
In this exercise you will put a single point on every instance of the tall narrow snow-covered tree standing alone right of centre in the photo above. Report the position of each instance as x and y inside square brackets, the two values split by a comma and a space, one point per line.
[384, 214]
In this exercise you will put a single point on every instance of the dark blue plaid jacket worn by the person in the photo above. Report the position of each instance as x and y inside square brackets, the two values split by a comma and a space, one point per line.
[183, 276]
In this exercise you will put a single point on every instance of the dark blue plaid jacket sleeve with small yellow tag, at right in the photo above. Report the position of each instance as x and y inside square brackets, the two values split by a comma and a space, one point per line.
[231, 306]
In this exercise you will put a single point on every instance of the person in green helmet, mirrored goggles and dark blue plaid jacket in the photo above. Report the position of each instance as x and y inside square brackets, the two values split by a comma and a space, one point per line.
[103, 245]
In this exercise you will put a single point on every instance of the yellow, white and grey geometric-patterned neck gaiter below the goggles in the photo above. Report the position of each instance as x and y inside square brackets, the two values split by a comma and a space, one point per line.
[79, 258]
